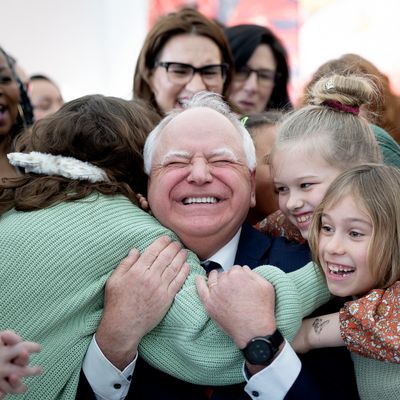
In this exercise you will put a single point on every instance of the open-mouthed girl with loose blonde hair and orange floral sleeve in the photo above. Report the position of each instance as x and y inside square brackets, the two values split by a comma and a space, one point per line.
[355, 240]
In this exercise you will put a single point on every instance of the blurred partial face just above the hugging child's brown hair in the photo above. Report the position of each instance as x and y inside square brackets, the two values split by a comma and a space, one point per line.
[45, 96]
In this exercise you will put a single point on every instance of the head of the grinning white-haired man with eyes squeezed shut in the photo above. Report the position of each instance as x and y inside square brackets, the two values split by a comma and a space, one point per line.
[201, 182]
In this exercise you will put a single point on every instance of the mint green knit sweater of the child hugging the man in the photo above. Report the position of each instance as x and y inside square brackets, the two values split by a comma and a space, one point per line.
[54, 263]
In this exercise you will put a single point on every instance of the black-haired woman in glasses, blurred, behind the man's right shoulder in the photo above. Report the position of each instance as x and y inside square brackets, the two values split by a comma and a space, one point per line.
[261, 70]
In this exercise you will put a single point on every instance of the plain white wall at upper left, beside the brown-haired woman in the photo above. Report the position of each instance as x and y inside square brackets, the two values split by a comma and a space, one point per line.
[86, 46]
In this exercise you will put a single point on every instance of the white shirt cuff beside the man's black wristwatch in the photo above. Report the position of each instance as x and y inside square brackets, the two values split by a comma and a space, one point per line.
[273, 382]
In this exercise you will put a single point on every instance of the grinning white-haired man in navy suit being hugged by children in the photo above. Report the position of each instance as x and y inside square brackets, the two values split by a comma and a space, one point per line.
[201, 164]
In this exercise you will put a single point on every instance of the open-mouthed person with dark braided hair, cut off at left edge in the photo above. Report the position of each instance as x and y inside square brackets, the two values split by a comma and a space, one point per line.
[15, 111]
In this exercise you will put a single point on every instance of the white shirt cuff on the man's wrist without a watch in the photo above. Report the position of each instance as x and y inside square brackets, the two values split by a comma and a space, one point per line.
[106, 381]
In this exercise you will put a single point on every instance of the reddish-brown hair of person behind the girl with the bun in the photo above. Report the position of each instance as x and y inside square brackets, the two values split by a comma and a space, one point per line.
[385, 109]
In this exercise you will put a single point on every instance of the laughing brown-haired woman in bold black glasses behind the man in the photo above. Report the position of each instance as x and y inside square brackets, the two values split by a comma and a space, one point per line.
[184, 53]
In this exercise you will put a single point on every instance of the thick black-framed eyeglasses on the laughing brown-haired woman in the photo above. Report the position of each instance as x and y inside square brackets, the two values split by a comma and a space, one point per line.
[181, 74]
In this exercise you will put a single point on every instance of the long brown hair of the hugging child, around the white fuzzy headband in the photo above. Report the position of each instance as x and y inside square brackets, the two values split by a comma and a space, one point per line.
[106, 131]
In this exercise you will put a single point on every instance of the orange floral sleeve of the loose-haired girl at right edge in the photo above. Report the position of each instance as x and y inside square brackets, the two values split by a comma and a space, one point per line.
[370, 326]
